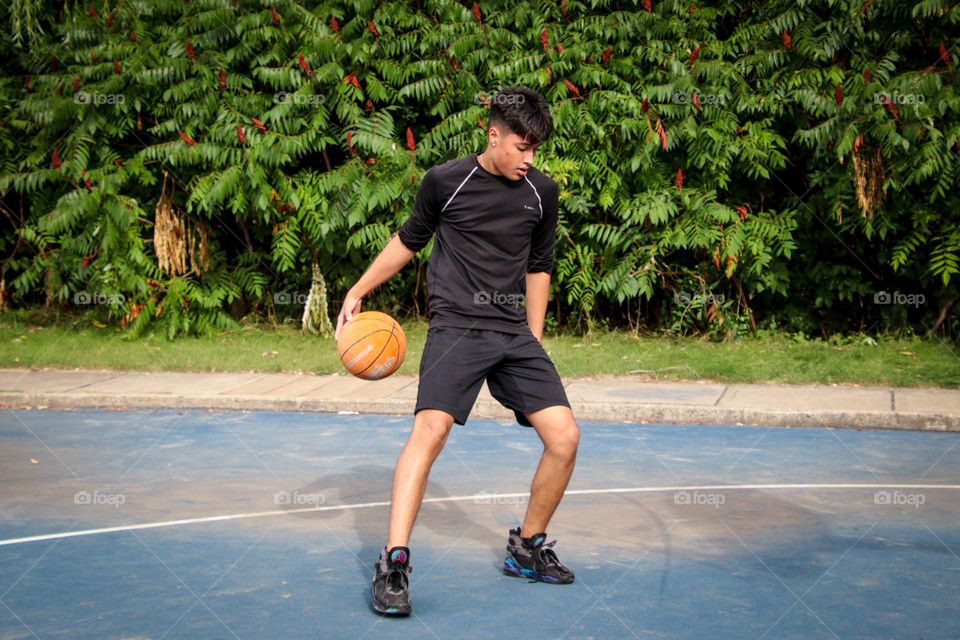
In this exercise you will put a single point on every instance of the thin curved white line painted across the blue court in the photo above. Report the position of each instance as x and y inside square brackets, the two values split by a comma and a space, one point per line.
[480, 498]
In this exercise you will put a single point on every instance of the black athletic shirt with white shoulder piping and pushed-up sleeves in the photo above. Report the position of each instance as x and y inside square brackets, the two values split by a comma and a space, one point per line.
[490, 232]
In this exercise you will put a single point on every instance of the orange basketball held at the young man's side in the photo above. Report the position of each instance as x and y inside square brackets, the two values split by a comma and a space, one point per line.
[372, 345]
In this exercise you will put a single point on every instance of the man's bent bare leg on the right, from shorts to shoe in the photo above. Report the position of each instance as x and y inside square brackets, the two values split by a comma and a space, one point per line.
[560, 436]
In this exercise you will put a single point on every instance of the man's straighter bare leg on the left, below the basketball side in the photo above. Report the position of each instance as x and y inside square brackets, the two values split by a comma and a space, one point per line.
[430, 430]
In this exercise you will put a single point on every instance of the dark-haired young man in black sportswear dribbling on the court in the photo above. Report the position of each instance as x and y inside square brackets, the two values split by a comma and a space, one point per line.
[494, 217]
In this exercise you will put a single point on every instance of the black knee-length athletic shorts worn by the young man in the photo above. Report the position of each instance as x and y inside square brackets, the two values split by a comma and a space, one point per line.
[518, 372]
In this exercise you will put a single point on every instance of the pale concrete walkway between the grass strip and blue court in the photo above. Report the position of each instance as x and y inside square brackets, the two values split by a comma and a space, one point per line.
[615, 399]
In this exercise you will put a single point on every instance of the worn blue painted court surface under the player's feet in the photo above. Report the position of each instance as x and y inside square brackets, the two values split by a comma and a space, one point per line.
[673, 532]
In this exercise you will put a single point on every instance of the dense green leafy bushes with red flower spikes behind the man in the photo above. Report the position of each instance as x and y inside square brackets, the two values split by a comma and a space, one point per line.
[723, 165]
